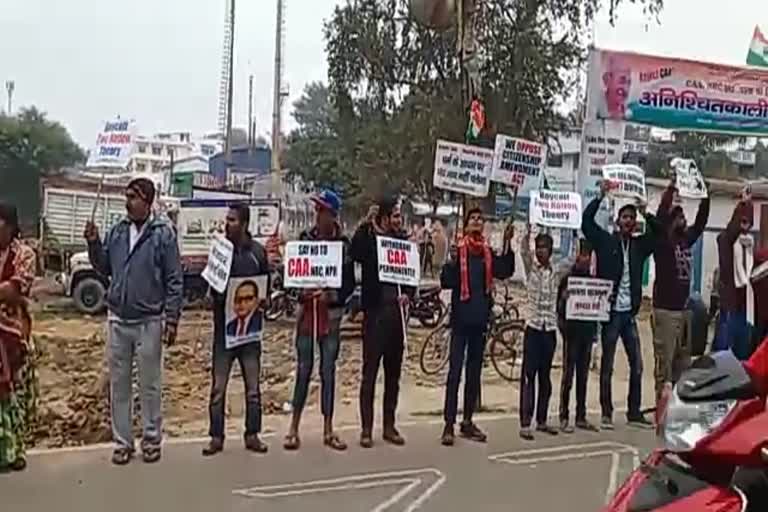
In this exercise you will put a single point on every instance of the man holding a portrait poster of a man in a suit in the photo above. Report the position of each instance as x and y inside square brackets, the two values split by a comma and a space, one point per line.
[238, 331]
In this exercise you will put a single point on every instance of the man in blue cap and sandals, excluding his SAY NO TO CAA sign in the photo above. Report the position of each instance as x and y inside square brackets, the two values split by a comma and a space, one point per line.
[320, 315]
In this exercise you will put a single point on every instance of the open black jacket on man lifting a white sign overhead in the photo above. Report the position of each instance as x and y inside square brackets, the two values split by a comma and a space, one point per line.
[610, 259]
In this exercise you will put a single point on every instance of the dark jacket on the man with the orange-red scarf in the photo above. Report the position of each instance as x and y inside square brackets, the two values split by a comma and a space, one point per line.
[474, 313]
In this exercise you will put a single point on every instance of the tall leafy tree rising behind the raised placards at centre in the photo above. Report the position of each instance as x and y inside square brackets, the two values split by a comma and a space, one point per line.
[397, 84]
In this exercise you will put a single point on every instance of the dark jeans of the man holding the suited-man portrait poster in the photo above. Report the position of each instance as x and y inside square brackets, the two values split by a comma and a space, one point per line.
[249, 357]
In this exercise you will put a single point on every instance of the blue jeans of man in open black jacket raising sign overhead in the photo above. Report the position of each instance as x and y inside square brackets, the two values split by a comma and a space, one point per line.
[621, 325]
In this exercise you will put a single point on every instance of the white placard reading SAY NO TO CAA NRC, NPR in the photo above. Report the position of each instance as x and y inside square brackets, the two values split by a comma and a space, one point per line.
[313, 264]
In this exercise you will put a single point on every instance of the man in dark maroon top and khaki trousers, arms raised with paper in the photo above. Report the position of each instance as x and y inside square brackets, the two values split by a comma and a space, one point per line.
[671, 323]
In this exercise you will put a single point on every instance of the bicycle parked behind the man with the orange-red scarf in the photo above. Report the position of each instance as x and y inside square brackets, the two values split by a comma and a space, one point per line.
[505, 345]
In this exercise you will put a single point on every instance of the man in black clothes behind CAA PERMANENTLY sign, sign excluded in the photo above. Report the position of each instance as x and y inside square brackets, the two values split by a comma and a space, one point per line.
[383, 335]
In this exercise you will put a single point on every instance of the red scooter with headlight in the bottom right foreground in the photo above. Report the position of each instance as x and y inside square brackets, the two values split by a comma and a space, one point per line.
[713, 426]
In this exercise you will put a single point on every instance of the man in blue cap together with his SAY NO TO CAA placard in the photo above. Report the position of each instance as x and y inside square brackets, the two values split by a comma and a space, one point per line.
[323, 267]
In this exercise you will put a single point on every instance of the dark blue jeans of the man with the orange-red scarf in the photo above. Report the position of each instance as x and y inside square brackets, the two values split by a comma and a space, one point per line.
[473, 343]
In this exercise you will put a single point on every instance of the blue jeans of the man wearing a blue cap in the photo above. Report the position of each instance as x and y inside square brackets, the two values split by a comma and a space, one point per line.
[329, 352]
